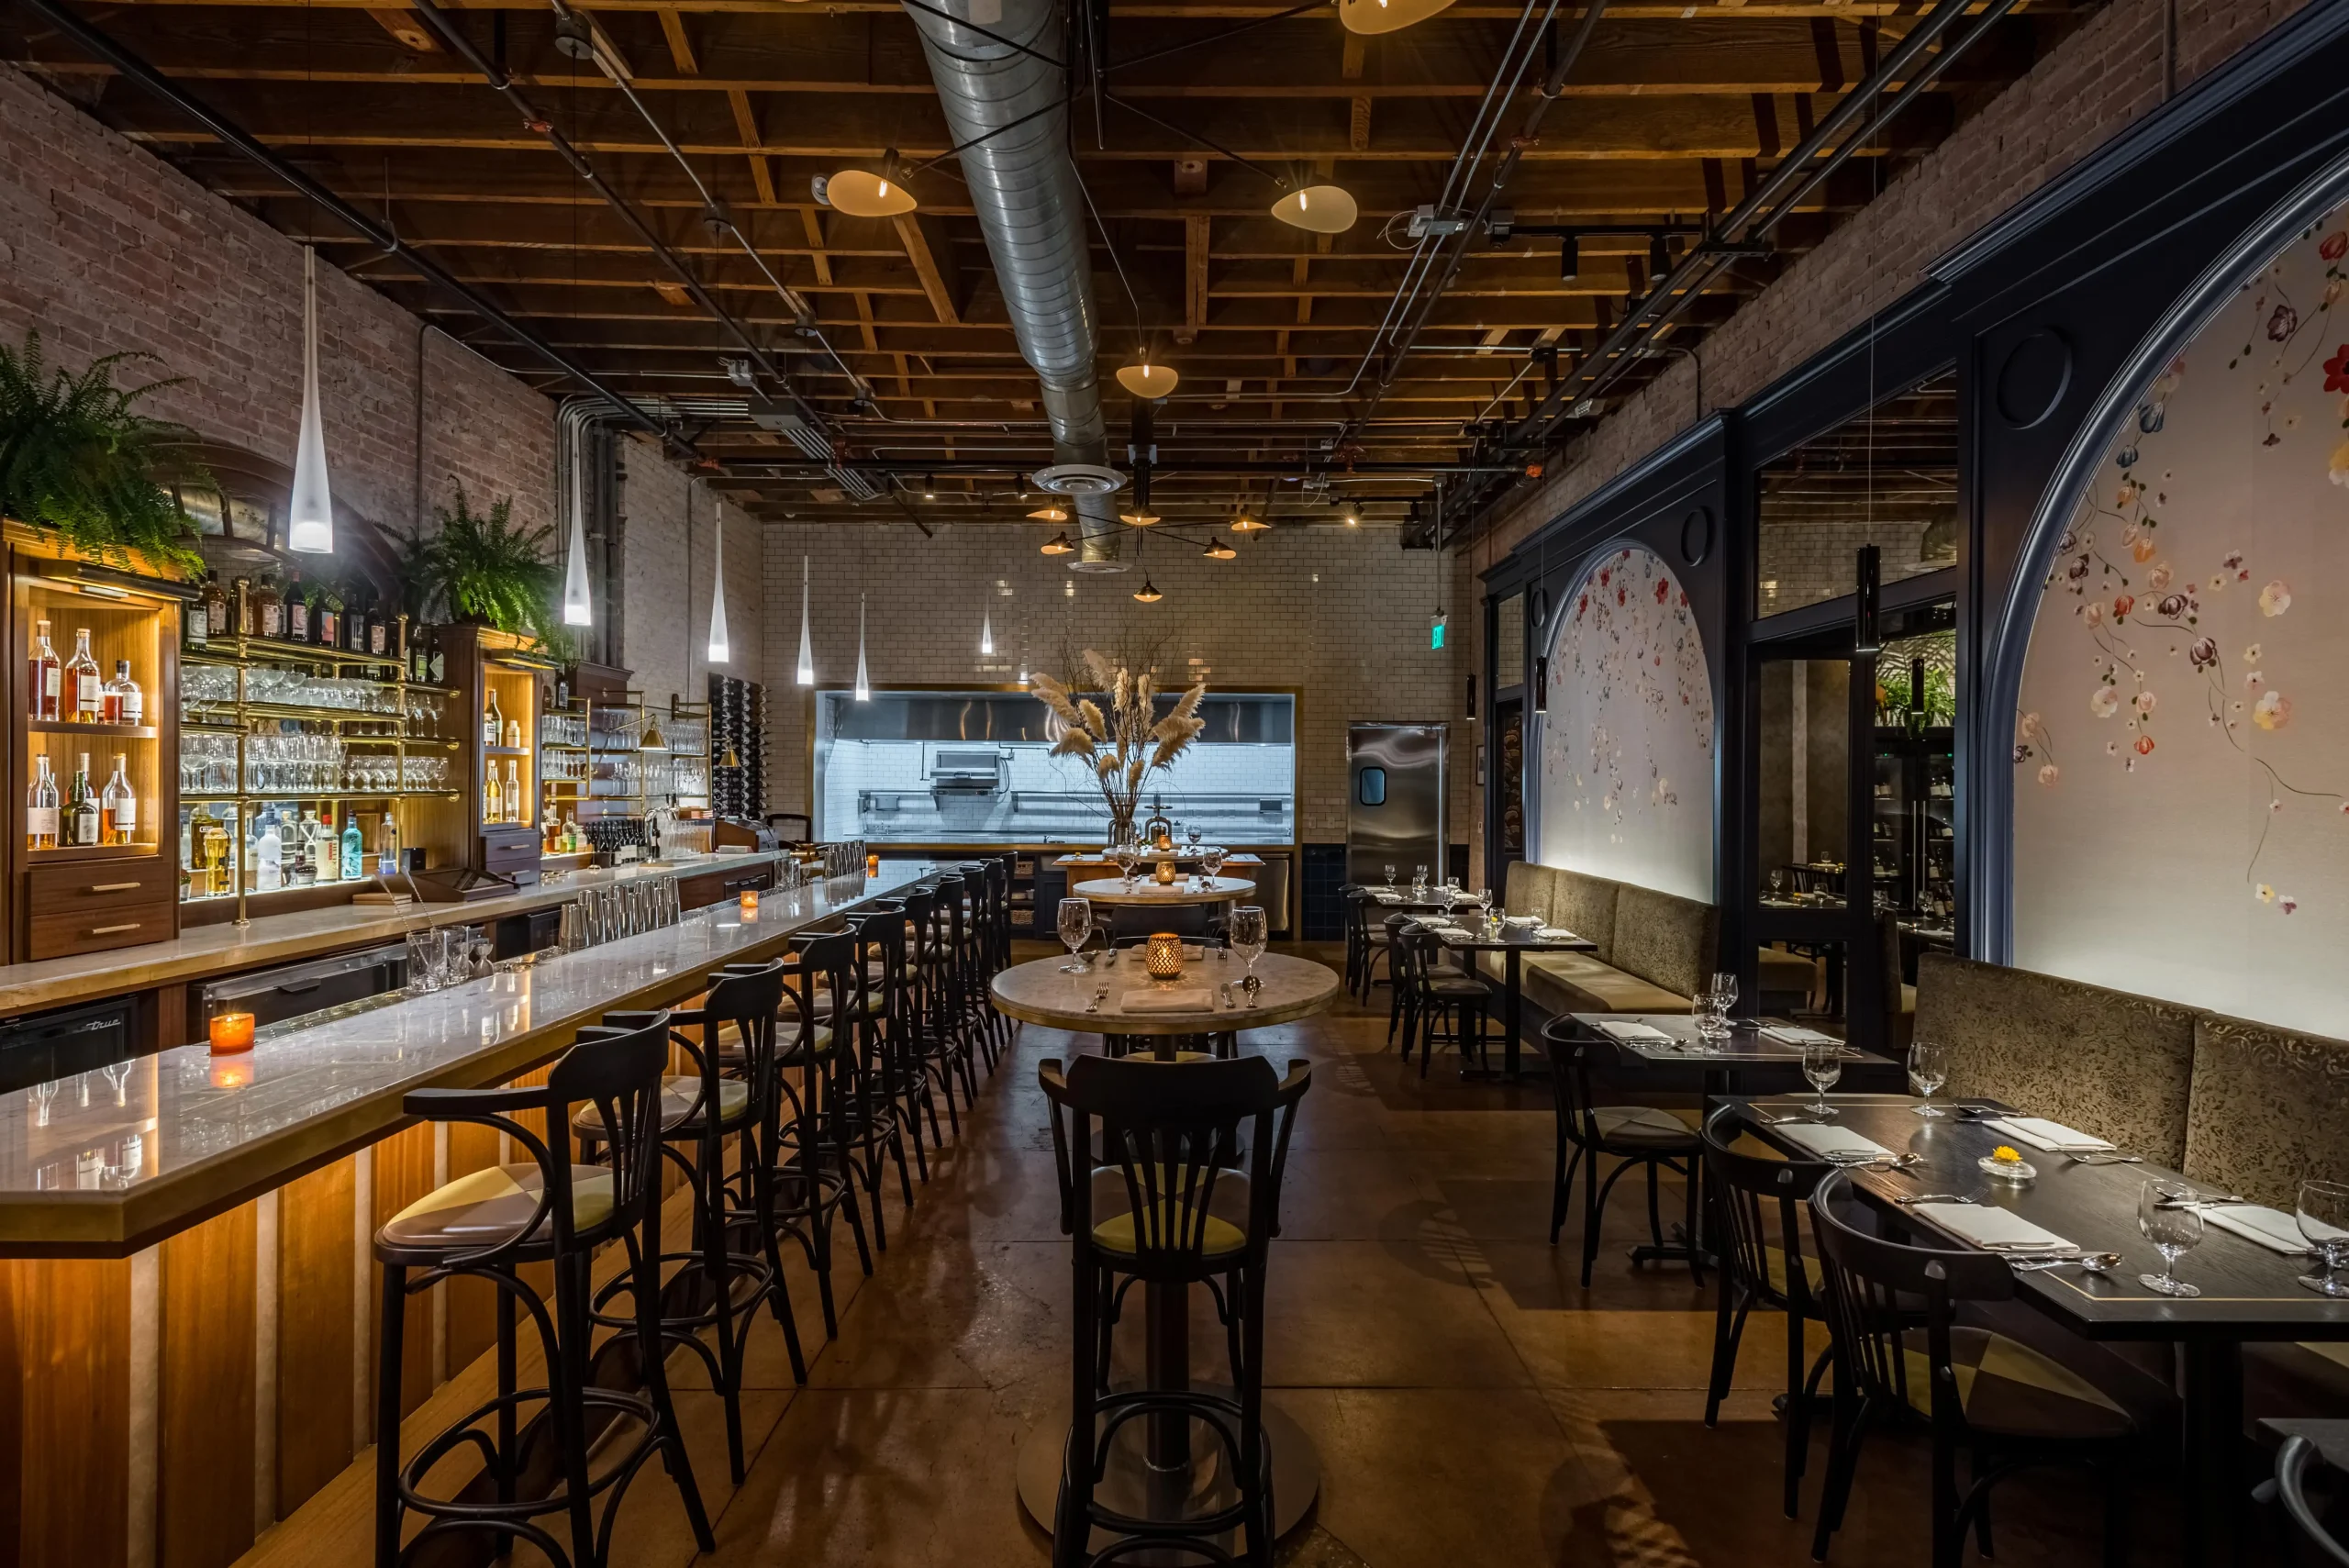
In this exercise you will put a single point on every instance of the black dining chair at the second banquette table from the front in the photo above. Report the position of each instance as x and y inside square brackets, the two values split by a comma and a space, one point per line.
[1636, 1137]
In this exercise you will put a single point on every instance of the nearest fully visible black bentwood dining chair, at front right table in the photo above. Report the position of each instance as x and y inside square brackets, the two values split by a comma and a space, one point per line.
[1974, 1388]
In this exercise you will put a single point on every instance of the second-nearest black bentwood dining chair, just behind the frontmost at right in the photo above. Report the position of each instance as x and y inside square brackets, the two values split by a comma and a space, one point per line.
[1758, 1231]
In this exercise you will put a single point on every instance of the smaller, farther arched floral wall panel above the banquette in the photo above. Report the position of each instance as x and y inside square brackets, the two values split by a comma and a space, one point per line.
[1627, 748]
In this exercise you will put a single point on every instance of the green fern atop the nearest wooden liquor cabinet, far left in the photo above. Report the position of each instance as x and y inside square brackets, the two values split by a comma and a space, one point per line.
[79, 461]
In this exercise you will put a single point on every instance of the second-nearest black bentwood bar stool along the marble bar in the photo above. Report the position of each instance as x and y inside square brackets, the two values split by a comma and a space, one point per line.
[734, 1264]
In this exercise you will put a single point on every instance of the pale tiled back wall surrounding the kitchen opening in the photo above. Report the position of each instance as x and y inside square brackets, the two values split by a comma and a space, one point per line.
[1357, 640]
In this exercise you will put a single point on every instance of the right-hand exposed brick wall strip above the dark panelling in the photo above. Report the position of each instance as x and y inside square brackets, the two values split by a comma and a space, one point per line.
[2094, 86]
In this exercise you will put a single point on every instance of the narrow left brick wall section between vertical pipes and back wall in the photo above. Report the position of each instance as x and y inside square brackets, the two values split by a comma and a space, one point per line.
[668, 572]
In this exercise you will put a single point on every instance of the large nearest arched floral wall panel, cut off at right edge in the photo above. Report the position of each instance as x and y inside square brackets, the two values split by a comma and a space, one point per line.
[2183, 738]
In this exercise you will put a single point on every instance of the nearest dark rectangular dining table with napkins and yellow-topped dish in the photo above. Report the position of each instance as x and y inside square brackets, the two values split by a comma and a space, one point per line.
[2247, 1290]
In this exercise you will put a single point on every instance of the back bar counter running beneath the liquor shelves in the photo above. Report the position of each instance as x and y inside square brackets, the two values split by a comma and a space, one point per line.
[208, 952]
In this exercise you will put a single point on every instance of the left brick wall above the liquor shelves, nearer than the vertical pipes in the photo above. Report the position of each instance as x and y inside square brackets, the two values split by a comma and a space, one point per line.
[105, 248]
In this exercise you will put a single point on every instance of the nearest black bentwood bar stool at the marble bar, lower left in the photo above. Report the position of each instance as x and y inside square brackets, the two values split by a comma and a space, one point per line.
[492, 1226]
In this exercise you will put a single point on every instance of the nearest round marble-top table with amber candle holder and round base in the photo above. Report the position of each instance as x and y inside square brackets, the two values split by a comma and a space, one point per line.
[1157, 1468]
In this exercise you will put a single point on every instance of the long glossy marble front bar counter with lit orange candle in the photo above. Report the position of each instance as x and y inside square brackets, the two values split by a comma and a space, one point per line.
[119, 1158]
